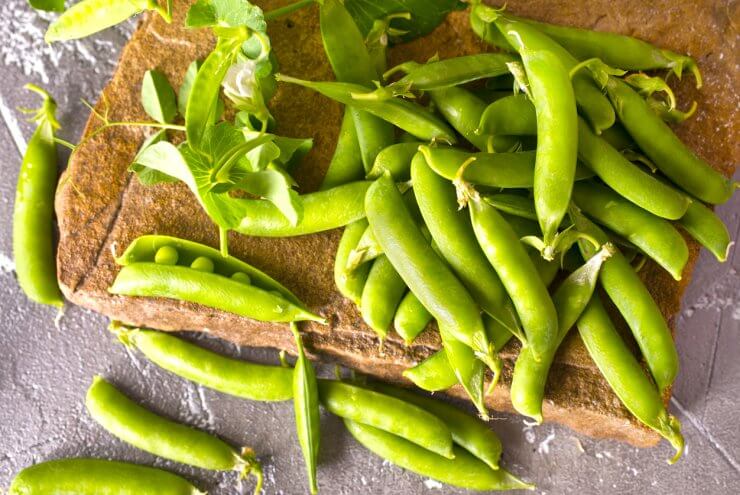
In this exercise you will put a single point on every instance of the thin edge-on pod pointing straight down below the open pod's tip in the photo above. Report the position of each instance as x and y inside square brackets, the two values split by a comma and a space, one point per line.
[306, 405]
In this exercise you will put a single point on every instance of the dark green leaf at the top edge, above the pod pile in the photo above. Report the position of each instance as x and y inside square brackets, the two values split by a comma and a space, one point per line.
[425, 14]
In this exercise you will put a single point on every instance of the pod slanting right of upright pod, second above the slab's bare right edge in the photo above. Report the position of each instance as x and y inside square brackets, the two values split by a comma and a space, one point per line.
[627, 179]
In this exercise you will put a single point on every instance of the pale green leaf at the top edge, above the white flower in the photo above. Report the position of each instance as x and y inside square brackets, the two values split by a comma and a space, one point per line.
[226, 13]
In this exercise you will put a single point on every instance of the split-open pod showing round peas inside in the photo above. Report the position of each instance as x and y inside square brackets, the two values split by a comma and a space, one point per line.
[200, 274]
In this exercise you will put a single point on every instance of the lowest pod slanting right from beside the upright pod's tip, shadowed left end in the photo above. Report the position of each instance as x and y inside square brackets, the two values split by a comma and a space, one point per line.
[655, 236]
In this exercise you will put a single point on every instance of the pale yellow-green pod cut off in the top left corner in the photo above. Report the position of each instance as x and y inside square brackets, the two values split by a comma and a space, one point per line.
[90, 16]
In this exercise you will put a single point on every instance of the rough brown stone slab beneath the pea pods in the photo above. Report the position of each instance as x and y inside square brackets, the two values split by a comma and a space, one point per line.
[101, 207]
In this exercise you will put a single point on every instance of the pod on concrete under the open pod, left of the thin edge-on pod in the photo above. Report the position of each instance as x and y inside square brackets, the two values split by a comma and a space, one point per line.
[230, 376]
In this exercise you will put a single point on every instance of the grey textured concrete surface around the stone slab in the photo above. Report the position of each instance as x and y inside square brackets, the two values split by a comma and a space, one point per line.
[46, 364]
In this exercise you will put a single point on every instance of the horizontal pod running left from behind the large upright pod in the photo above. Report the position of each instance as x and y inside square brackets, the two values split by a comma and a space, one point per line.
[498, 170]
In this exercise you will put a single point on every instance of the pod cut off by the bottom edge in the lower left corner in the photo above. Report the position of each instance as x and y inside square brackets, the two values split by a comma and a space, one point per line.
[96, 476]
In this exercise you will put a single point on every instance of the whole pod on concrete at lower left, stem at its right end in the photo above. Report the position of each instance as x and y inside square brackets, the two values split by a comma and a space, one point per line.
[152, 433]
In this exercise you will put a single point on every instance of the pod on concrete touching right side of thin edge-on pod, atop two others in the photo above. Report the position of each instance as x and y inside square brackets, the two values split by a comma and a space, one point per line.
[387, 413]
